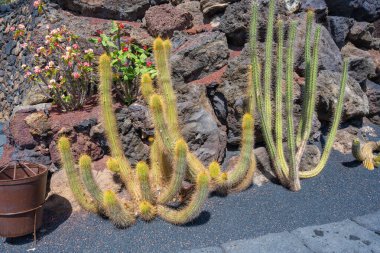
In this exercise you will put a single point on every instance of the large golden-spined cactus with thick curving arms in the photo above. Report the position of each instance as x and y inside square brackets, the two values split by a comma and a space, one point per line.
[154, 188]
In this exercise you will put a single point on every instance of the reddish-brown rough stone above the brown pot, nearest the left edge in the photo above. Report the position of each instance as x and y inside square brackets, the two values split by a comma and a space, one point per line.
[20, 133]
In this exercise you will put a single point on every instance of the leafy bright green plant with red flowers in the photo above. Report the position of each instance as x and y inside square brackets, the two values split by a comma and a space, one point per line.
[129, 60]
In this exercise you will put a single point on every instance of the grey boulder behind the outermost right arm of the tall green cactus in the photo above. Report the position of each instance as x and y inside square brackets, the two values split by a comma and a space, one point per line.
[355, 101]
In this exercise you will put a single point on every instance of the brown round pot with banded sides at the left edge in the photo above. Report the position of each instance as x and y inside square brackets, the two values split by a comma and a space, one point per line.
[22, 195]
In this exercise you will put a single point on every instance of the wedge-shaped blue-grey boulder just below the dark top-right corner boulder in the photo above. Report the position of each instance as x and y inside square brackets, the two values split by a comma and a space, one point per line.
[339, 27]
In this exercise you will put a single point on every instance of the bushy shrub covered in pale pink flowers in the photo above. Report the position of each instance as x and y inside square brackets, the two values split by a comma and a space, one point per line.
[62, 68]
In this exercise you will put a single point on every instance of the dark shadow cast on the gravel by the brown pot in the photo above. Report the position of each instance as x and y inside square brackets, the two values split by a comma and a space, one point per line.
[57, 210]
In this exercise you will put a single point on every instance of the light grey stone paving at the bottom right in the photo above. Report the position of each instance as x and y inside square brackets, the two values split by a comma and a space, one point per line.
[361, 234]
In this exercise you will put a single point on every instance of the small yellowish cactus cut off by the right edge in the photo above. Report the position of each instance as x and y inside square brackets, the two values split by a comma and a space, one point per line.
[366, 153]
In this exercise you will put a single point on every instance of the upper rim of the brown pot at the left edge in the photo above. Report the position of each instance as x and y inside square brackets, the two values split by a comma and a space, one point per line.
[33, 178]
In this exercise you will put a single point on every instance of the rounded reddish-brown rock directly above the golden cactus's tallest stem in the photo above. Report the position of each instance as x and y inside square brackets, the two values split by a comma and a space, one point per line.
[163, 20]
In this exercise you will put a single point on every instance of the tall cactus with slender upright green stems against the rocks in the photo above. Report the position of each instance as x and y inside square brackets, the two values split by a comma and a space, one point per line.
[288, 171]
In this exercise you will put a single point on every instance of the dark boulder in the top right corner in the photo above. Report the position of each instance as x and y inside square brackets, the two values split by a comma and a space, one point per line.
[361, 10]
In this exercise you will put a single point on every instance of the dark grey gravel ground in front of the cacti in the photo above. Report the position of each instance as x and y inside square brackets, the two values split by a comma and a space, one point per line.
[343, 190]
